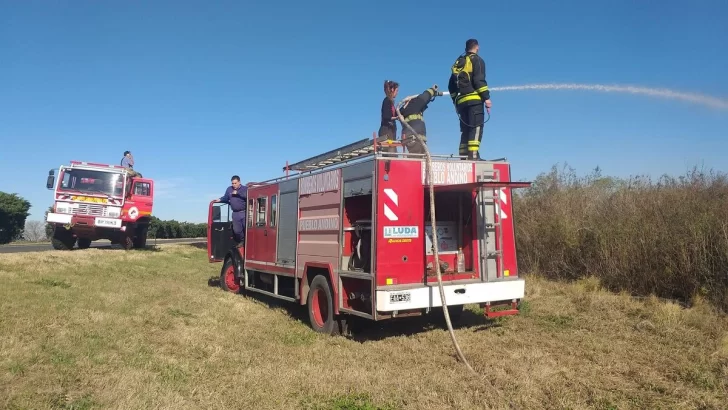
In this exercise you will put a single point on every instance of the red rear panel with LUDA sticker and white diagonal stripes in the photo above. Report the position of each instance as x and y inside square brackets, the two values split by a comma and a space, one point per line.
[399, 223]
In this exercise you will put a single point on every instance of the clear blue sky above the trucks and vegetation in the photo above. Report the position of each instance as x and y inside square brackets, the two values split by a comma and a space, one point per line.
[199, 91]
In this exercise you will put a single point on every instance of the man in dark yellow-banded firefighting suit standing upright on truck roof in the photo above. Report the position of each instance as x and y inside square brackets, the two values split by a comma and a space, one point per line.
[469, 91]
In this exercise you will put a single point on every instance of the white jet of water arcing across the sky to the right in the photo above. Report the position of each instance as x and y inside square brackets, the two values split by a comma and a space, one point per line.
[702, 99]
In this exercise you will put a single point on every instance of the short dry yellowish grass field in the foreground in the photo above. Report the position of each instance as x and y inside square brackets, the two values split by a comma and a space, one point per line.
[104, 328]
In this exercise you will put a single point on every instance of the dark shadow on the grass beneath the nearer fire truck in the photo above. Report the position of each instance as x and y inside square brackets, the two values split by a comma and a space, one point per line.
[364, 330]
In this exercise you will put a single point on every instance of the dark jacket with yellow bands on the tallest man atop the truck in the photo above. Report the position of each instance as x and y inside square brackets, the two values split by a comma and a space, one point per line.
[467, 84]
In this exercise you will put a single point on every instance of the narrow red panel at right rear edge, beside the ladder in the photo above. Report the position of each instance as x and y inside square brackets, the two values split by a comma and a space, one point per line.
[504, 215]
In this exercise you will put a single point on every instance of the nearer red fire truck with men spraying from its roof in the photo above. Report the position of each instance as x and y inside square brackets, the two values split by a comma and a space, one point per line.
[350, 235]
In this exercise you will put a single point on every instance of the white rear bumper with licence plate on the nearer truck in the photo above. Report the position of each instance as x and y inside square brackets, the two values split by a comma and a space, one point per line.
[468, 293]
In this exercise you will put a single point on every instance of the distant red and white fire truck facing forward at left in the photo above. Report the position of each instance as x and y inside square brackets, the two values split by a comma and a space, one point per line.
[99, 201]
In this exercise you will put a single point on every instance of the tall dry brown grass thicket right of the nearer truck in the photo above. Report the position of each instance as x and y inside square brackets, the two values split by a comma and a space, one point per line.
[667, 237]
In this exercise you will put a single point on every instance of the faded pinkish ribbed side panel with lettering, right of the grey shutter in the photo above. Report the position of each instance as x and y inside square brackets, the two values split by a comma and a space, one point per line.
[319, 220]
